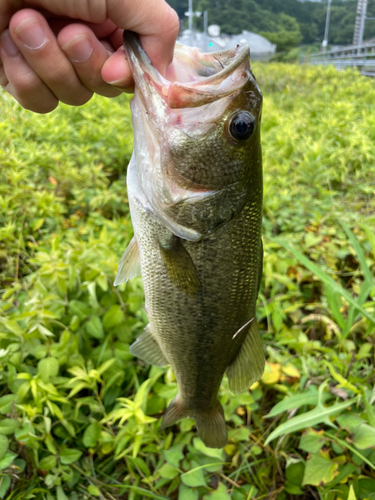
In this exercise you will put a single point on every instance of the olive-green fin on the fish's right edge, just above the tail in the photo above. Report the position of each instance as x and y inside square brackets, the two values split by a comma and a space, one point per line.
[248, 365]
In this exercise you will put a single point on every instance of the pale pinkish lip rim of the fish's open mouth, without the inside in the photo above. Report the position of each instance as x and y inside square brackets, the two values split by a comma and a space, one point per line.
[176, 94]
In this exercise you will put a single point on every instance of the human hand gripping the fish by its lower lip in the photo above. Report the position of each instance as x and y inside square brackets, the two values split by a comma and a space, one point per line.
[66, 50]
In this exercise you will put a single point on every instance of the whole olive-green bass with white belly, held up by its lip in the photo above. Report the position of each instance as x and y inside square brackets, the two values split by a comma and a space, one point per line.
[195, 190]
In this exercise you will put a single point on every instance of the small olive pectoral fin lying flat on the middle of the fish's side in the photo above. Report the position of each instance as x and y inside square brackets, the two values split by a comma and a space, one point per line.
[180, 267]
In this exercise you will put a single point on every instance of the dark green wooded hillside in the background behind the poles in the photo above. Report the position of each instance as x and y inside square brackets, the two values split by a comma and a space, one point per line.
[284, 22]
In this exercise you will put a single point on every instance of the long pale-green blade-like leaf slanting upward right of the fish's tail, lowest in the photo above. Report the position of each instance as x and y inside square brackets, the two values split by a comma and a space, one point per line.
[319, 415]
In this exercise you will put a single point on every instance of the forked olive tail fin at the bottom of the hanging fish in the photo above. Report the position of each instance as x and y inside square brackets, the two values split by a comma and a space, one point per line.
[211, 425]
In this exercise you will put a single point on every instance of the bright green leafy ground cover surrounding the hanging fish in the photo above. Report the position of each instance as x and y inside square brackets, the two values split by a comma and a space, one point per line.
[76, 407]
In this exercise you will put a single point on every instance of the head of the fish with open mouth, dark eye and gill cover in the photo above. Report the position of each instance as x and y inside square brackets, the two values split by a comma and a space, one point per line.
[198, 127]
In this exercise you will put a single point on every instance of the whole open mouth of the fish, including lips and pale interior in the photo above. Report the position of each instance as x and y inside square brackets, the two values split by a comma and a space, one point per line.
[194, 78]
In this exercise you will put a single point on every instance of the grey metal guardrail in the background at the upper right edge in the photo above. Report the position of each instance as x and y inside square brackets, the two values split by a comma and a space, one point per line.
[359, 56]
